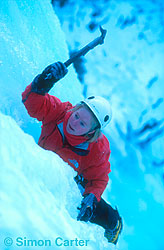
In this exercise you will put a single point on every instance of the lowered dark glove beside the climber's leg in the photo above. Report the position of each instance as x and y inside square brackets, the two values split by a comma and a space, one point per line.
[87, 208]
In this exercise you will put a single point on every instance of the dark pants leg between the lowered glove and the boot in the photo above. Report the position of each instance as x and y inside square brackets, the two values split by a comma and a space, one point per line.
[104, 215]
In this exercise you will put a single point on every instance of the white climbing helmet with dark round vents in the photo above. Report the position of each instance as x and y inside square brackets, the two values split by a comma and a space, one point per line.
[101, 108]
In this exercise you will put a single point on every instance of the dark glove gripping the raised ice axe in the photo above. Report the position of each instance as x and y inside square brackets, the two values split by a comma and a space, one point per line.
[42, 83]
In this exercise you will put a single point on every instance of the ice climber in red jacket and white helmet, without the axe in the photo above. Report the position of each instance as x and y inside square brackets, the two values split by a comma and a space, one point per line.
[74, 133]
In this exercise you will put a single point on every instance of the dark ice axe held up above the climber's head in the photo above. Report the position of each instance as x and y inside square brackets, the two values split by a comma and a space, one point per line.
[88, 47]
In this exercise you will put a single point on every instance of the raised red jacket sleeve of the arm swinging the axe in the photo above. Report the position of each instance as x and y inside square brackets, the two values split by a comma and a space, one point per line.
[43, 107]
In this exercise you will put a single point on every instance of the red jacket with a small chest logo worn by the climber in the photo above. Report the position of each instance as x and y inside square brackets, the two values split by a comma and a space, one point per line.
[89, 159]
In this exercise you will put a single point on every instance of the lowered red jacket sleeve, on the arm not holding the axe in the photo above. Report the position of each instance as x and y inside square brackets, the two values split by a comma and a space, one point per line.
[97, 173]
